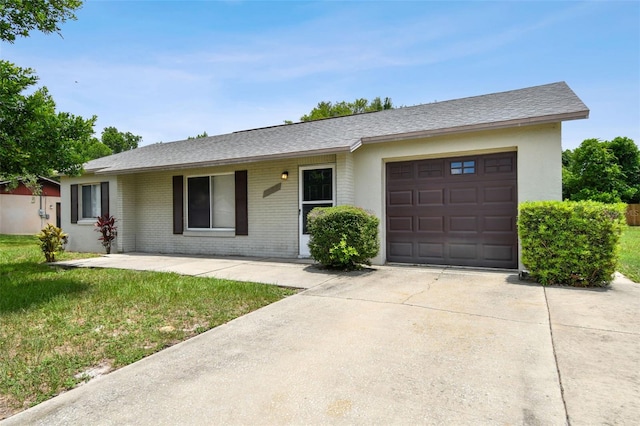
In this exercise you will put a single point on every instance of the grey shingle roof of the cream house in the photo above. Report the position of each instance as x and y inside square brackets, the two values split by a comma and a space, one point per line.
[534, 105]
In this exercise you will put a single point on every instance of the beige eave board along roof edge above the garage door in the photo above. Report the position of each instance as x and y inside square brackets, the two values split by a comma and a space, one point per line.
[555, 118]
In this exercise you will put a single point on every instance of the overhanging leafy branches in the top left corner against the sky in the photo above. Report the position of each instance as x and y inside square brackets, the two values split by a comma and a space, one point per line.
[19, 17]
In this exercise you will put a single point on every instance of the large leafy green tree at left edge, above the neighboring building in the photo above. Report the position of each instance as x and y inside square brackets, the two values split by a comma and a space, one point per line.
[34, 138]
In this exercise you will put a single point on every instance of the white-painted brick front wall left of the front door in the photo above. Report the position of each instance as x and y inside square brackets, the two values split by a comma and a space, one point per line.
[142, 203]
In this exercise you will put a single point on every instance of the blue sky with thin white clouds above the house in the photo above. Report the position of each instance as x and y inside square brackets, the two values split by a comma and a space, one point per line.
[167, 70]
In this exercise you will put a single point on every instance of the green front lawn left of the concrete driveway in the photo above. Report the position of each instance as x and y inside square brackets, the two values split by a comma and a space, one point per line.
[57, 323]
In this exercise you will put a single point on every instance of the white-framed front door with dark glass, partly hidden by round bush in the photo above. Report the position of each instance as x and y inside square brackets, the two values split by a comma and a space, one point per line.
[317, 189]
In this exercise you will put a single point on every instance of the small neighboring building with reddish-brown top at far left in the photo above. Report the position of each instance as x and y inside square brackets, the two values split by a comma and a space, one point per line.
[23, 213]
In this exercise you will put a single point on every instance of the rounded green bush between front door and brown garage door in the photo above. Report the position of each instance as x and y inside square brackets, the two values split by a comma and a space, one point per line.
[343, 237]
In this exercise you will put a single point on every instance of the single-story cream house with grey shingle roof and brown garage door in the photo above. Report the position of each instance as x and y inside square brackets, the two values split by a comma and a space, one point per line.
[444, 178]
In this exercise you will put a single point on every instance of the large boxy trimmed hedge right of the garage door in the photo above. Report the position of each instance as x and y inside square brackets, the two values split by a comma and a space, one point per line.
[567, 242]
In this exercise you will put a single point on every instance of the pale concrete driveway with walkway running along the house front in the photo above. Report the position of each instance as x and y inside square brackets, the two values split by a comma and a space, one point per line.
[390, 345]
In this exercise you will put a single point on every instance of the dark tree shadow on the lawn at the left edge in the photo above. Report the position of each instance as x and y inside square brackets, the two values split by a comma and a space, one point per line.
[21, 288]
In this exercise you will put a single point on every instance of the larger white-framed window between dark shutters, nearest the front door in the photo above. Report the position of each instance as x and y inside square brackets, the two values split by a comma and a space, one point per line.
[211, 202]
